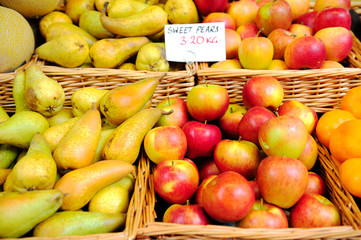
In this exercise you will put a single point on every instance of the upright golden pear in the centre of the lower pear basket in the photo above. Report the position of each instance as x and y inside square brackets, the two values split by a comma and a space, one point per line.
[78, 146]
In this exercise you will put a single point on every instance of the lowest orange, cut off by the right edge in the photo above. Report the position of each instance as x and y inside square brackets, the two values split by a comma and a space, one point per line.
[350, 175]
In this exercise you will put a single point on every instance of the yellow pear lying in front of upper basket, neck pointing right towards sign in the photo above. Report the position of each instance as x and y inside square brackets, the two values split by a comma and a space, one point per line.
[112, 52]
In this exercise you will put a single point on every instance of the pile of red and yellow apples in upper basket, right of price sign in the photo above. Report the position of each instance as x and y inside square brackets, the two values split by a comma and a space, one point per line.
[282, 34]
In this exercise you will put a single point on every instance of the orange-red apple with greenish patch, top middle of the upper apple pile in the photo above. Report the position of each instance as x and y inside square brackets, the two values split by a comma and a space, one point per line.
[274, 14]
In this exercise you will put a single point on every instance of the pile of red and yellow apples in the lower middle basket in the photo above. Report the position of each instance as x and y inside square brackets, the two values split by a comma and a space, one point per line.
[250, 165]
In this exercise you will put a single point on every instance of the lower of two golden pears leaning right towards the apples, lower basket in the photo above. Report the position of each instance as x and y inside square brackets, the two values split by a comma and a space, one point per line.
[126, 140]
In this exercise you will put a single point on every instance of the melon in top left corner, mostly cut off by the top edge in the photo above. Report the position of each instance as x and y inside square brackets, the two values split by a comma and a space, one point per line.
[31, 8]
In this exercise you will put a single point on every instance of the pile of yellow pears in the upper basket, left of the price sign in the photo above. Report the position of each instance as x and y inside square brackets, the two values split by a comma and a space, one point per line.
[125, 34]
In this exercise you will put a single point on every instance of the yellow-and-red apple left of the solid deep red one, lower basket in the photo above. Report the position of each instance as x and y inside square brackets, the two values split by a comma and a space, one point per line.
[165, 143]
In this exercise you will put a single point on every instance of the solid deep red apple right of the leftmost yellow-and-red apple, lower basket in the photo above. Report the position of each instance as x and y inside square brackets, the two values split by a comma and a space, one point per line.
[202, 138]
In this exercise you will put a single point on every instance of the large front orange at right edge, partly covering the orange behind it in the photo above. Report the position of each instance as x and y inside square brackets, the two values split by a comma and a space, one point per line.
[345, 141]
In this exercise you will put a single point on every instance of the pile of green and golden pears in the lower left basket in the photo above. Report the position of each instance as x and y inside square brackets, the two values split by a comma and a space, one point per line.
[70, 171]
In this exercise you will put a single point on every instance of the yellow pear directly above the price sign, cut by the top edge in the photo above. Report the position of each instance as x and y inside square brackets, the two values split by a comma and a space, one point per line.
[181, 12]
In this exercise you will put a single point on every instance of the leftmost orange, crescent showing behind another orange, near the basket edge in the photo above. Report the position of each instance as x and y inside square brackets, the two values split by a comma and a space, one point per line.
[329, 121]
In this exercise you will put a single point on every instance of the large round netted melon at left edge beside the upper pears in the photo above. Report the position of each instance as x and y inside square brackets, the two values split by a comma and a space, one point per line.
[17, 41]
